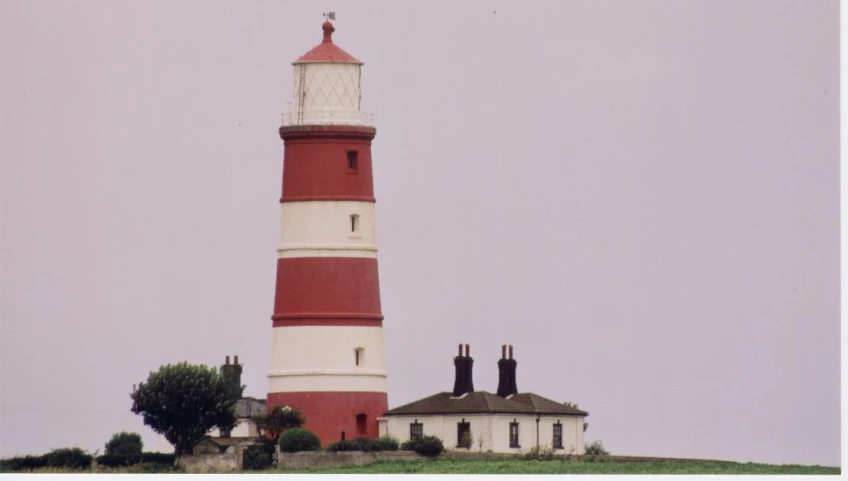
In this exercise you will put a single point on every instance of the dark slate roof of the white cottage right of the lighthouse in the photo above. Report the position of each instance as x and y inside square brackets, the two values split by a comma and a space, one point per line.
[482, 402]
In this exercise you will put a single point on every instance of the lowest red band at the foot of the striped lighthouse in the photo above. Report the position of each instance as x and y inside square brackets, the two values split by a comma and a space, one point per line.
[329, 414]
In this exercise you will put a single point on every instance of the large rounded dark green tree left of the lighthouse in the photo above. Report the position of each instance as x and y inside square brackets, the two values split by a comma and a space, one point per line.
[183, 402]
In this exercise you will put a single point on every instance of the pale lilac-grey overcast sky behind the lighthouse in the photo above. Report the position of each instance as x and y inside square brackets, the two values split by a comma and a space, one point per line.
[641, 196]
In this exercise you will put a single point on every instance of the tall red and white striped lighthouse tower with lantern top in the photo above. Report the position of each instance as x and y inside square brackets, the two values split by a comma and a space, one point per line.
[327, 353]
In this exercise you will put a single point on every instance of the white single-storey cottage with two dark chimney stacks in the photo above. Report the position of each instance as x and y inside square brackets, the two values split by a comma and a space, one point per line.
[505, 422]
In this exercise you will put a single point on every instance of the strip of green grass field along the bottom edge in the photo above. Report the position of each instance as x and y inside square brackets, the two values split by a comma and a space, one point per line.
[453, 466]
